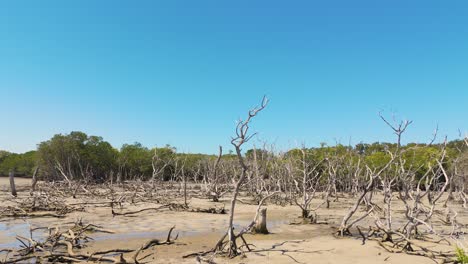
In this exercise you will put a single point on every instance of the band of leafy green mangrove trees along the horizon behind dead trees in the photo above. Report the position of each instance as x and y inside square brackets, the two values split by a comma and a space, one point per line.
[78, 156]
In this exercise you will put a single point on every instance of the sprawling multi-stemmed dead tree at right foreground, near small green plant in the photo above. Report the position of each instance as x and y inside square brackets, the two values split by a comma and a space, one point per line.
[432, 185]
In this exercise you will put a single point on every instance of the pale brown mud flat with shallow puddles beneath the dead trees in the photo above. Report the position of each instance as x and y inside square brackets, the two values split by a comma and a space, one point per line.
[287, 243]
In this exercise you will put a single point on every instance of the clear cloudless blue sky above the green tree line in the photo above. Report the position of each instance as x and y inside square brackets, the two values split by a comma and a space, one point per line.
[182, 72]
